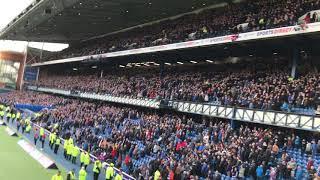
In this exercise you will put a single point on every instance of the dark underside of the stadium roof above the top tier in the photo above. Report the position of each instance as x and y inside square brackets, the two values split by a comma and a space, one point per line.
[75, 20]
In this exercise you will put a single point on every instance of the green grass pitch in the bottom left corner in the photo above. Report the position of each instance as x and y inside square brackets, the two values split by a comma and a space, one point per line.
[16, 164]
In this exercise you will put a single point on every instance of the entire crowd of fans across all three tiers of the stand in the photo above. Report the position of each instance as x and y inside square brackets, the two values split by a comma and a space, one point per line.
[141, 142]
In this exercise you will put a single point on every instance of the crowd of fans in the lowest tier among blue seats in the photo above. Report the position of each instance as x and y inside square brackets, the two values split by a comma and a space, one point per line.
[183, 147]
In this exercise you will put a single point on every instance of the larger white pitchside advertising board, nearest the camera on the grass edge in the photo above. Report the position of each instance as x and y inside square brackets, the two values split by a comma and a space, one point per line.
[37, 155]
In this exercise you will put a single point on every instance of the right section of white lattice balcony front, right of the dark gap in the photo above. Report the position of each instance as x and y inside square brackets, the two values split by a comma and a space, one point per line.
[283, 119]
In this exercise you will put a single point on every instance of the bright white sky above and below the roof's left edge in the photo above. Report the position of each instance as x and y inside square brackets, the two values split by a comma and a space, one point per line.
[9, 9]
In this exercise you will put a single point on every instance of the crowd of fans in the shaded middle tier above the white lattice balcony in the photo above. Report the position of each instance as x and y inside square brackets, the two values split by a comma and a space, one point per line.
[265, 85]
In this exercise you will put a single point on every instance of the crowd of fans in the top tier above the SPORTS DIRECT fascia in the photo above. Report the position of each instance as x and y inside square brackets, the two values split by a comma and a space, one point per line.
[250, 15]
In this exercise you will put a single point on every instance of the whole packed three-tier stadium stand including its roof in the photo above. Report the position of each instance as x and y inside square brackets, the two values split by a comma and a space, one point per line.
[228, 91]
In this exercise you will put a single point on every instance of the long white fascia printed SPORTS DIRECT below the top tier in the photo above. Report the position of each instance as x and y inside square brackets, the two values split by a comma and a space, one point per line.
[270, 33]
